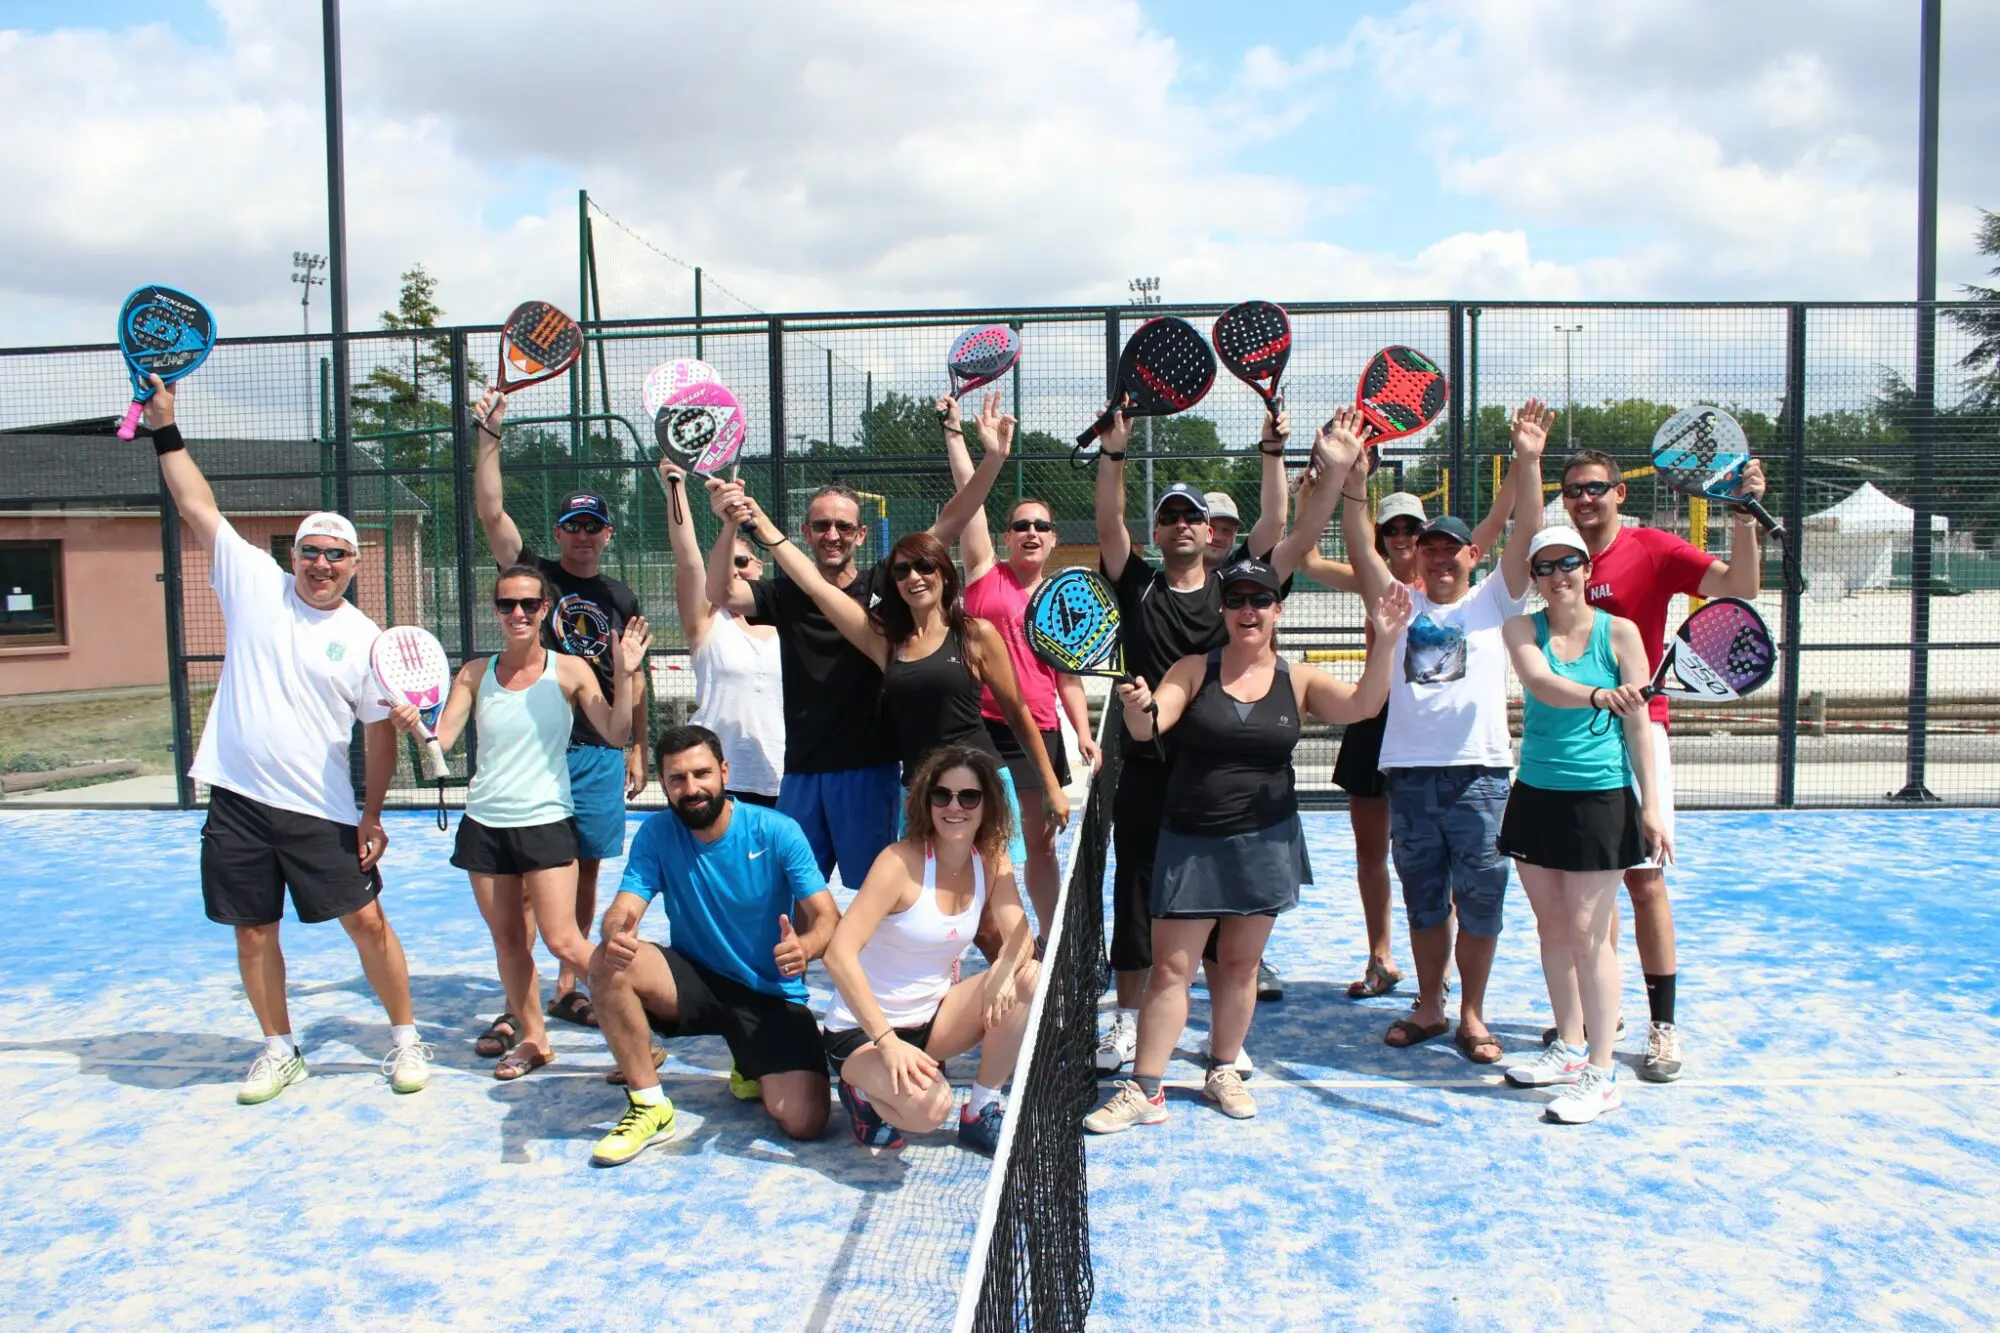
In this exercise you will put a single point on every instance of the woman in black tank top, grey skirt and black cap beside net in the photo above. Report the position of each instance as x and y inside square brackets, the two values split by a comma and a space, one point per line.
[1233, 854]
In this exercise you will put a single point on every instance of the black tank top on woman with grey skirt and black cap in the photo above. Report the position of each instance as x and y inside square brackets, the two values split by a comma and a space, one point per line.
[1233, 768]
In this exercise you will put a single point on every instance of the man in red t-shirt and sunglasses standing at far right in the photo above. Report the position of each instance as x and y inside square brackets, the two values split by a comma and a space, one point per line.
[1635, 573]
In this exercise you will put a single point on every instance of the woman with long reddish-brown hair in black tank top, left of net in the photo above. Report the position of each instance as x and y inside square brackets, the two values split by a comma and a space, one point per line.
[935, 657]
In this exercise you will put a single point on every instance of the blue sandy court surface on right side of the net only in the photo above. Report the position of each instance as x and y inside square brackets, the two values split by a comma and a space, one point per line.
[1831, 1158]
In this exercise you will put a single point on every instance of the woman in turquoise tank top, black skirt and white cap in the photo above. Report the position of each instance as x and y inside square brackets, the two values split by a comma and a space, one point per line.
[1573, 824]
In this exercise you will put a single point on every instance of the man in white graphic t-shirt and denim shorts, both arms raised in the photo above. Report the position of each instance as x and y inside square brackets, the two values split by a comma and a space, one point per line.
[1445, 746]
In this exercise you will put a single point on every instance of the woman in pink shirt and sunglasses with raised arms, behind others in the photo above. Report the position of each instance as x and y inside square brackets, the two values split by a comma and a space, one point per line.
[999, 591]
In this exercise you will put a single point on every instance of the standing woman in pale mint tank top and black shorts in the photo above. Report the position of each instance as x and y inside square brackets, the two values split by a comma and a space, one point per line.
[519, 834]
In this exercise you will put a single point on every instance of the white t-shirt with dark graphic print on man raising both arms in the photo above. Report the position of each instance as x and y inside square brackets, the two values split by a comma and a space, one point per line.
[1447, 698]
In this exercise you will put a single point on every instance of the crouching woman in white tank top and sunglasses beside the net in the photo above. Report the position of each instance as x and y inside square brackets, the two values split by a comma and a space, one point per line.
[895, 960]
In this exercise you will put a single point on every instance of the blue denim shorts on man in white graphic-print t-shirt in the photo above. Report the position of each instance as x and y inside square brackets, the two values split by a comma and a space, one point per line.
[1445, 838]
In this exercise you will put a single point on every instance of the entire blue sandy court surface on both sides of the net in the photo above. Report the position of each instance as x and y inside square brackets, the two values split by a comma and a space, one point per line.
[1831, 1160]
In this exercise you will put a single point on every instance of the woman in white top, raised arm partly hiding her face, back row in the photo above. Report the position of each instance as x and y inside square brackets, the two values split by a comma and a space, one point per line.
[739, 688]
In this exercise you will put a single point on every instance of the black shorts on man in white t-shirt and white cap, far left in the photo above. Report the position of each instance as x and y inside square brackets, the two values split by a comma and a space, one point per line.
[253, 854]
